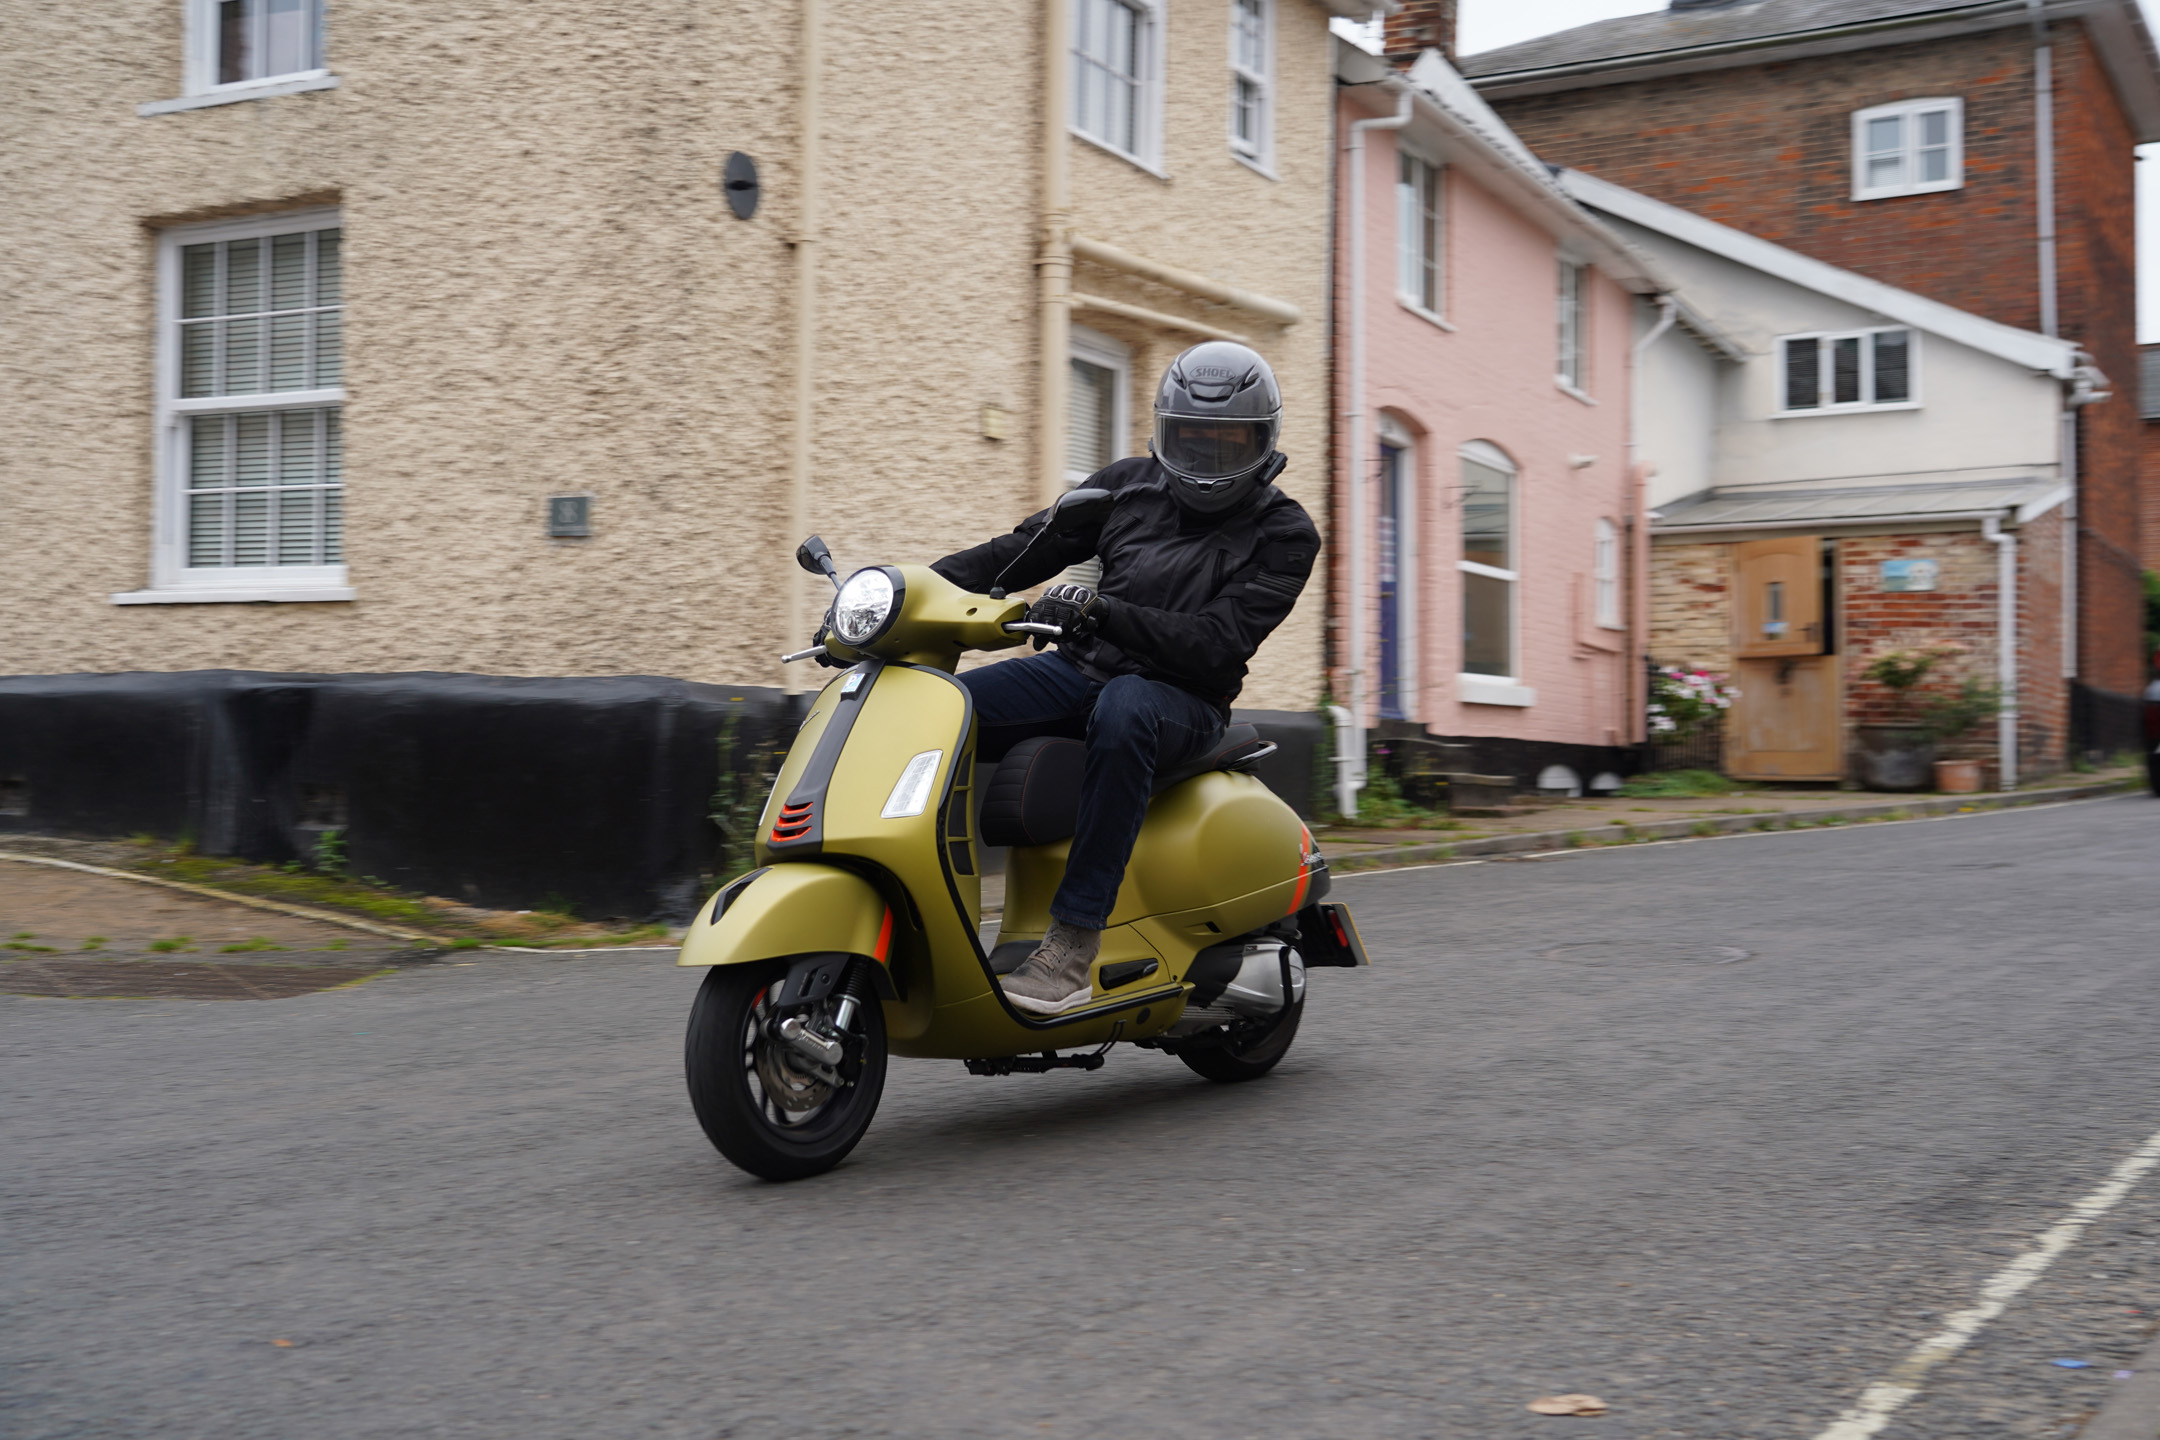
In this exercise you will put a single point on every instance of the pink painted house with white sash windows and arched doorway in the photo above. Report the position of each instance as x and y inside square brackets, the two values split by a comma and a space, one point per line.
[1487, 569]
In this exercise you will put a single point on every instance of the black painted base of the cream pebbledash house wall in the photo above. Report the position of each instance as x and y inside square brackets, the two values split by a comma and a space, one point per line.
[595, 793]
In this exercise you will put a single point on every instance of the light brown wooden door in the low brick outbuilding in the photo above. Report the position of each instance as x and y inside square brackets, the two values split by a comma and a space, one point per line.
[1785, 724]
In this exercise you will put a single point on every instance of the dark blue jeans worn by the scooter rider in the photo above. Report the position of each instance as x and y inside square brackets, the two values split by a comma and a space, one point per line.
[1133, 731]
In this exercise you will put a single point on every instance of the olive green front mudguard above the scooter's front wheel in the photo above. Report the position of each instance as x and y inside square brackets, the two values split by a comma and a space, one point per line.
[796, 908]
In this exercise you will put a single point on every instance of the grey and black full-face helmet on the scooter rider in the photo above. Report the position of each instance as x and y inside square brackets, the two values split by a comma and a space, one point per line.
[1217, 420]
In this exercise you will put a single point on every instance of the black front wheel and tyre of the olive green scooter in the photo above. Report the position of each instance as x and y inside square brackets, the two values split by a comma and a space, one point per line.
[729, 1029]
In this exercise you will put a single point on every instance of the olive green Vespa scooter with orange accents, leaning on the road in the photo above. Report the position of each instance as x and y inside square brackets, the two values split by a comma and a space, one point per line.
[859, 932]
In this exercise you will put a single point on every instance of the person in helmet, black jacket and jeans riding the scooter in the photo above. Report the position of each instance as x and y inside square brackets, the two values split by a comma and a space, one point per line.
[1202, 558]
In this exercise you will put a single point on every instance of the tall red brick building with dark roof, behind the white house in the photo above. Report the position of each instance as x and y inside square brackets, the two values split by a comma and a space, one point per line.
[1917, 144]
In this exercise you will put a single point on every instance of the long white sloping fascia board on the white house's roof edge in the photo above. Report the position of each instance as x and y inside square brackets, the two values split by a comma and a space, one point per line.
[2040, 353]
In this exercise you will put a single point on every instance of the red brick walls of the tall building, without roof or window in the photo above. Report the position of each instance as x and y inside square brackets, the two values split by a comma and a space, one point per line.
[1768, 150]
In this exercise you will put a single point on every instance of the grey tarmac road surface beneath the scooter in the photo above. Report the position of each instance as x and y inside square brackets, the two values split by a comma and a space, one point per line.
[1716, 1132]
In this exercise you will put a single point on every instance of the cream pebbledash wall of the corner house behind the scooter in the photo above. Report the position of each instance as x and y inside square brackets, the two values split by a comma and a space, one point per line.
[548, 295]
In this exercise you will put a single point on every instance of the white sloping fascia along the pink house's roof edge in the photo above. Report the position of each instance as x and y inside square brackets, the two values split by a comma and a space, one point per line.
[1481, 139]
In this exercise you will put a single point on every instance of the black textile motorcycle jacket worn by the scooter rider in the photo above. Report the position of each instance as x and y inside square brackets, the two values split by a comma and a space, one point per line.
[1185, 599]
